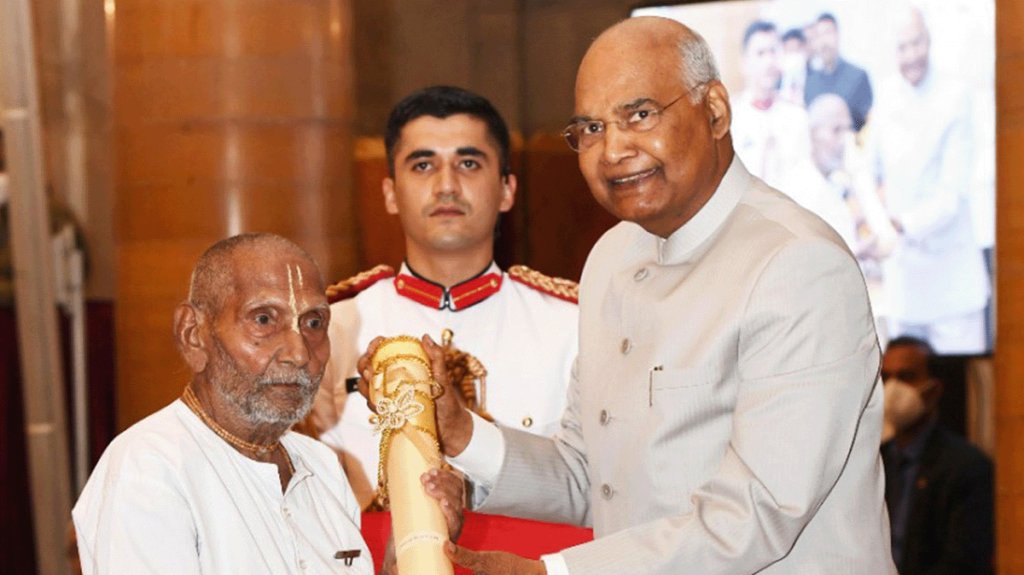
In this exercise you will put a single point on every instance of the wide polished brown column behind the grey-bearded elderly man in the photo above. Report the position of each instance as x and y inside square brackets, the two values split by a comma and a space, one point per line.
[229, 117]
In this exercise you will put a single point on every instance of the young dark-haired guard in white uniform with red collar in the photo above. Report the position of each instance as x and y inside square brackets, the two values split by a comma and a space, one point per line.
[511, 335]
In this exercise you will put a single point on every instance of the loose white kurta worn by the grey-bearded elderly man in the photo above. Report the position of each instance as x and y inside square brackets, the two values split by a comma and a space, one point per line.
[170, 497]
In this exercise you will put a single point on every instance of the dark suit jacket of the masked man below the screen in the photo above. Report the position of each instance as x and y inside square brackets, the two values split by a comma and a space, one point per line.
[951, 522]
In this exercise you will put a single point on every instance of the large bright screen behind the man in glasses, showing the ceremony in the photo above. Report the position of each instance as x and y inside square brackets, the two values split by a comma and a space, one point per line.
[880, 117]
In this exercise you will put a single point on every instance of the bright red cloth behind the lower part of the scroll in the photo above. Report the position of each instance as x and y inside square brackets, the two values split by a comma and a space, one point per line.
[488, 533]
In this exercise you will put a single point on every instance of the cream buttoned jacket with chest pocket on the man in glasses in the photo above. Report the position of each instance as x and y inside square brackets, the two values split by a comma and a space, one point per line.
[742, 433]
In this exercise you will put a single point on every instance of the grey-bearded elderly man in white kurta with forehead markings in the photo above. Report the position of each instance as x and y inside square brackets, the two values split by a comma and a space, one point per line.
[216, 482]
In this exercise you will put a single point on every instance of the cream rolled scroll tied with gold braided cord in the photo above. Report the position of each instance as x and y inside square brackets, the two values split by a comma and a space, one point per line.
[404, 392]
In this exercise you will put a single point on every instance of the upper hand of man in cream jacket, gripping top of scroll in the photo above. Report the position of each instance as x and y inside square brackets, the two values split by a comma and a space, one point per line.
[455, 425]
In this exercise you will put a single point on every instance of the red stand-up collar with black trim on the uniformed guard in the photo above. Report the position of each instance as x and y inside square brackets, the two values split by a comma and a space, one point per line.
[457, 298]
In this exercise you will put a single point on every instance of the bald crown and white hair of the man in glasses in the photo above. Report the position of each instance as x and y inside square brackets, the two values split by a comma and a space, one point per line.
[660, 38]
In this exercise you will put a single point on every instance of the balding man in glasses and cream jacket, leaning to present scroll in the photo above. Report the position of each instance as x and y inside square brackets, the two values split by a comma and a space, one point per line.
[724, 413]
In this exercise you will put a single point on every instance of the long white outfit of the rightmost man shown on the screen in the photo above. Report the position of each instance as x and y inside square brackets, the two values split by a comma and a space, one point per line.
[920, 149]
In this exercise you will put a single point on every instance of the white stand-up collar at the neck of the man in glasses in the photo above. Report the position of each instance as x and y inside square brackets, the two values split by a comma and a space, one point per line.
[676, 248]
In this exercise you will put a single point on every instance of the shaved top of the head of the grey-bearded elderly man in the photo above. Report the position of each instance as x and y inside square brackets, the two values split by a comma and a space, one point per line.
[214, 277]
